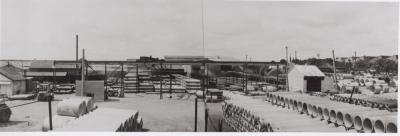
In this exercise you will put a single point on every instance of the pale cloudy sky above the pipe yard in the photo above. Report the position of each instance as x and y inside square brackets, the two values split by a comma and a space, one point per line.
[122, 29]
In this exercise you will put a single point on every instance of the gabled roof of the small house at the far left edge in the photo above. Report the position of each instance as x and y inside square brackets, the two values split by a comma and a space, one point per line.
[12, 72]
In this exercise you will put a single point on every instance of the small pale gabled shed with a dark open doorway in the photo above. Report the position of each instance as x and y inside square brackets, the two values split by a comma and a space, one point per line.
[305, 78]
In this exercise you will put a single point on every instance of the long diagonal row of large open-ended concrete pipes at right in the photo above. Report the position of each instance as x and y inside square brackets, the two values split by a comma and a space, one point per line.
[362, 119]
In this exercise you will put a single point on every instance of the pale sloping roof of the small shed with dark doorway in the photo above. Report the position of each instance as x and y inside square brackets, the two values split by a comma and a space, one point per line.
[308, 70]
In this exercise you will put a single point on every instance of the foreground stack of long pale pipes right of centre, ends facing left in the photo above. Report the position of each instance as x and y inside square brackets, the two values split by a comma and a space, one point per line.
[252, 114]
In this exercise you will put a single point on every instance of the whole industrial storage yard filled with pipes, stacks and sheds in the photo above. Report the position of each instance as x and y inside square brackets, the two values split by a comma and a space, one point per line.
[132, 97]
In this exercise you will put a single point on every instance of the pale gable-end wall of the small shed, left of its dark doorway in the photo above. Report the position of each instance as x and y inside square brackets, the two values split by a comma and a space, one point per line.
[296, 81]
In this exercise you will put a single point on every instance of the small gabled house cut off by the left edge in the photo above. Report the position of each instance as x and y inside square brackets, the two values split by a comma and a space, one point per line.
[12, 80]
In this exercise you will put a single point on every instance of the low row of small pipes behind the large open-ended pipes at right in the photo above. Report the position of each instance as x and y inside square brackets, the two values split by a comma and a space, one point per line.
[373, 101]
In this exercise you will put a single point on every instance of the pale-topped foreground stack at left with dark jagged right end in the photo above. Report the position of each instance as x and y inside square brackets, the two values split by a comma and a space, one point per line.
[106, 119]
